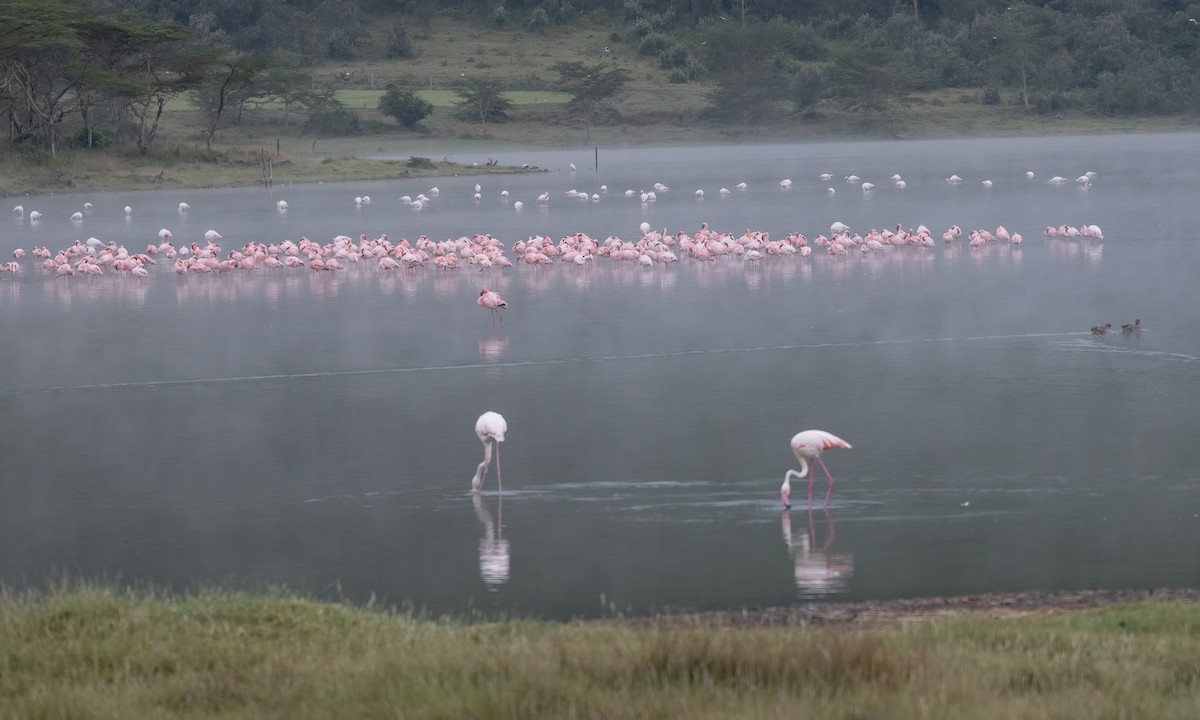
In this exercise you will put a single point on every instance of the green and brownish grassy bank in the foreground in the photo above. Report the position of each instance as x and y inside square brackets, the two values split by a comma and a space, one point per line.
[107, 653]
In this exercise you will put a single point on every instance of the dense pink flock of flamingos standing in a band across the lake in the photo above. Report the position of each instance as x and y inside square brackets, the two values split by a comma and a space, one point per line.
[483, 251]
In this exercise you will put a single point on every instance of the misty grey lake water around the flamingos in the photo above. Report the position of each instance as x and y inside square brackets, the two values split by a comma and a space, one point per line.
[315, 431]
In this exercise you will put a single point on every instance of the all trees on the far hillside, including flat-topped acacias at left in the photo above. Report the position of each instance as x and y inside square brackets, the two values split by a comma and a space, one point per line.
[110, 67]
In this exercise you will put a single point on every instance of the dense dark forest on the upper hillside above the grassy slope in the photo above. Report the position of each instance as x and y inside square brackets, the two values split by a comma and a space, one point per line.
[1118, 57]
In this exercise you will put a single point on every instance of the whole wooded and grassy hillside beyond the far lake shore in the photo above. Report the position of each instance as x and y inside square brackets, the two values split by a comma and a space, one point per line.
[298, 85]
